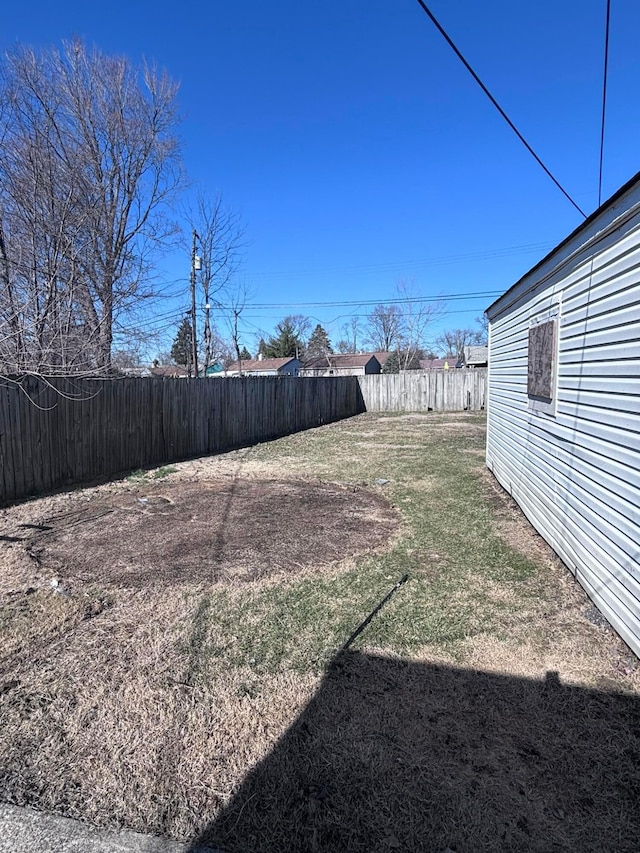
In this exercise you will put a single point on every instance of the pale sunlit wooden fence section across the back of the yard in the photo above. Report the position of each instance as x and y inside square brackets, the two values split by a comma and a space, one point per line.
[425, 391]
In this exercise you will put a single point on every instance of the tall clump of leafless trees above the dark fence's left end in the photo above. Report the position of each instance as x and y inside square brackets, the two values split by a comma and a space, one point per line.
[89, 161]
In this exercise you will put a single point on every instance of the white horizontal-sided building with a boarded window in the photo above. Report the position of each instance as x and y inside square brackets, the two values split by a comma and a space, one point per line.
[563, 433]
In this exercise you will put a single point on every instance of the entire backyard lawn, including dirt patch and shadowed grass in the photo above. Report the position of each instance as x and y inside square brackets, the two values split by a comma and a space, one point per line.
[170, 655]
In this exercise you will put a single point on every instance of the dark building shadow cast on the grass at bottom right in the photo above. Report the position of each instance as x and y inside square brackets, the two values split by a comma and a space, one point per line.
[396, 755]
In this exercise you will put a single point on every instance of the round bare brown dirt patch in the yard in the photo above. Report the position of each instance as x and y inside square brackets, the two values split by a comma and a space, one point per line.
[243, 530]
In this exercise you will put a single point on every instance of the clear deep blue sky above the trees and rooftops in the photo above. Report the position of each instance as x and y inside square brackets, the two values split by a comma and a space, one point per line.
[359, 150]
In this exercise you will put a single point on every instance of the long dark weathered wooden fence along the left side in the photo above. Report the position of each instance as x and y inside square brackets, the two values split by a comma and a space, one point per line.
[62, 431]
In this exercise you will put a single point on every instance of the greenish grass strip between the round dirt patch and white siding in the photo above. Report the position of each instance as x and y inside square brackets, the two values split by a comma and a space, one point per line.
[451, 550]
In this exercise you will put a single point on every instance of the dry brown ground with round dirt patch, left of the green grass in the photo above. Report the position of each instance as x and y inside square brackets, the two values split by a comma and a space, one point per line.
[117, 702]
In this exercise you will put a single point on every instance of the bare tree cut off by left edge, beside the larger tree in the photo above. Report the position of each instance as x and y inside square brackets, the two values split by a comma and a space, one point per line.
[39, 224]
